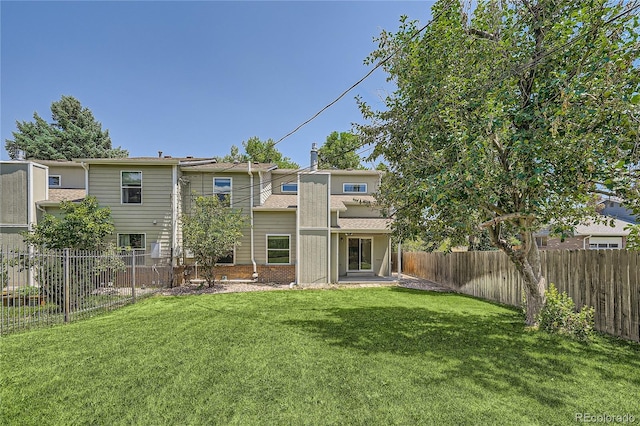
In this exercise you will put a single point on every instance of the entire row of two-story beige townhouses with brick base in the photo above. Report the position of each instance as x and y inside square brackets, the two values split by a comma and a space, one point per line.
[305, 226]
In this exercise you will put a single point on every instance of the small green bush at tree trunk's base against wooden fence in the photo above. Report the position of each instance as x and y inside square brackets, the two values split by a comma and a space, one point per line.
[559, 315]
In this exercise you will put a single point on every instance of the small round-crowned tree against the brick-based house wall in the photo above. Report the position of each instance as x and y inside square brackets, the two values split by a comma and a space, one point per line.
[211, 231]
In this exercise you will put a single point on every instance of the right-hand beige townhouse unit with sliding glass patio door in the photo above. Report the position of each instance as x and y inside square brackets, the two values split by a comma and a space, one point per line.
[305, 226]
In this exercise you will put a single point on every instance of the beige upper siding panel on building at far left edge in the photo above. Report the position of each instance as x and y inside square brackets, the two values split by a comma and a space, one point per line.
[14, 193]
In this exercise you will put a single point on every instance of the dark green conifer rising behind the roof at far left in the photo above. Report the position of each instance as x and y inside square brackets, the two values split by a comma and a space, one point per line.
[73, 133]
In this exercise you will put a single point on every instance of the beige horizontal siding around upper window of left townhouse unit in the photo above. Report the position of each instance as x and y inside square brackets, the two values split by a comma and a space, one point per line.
[104, 183]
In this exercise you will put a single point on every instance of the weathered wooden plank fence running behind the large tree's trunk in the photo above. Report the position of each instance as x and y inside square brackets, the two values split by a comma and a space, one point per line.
[608, 280]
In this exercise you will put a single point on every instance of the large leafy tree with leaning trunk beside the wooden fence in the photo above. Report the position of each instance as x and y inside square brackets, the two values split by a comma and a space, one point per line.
[507, 120]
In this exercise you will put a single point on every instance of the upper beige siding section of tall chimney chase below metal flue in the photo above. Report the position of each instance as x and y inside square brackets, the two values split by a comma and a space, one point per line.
[313, 200]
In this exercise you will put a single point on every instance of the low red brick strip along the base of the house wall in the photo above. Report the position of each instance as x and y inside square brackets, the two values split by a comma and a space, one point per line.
[280, 274]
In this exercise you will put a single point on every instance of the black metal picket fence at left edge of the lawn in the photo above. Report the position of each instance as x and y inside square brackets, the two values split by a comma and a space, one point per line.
[45, 287]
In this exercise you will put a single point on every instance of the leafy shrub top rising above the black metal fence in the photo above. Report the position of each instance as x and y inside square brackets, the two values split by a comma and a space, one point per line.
[84, 226]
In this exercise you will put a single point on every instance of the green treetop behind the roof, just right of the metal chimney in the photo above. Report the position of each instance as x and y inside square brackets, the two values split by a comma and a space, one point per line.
[339, 152]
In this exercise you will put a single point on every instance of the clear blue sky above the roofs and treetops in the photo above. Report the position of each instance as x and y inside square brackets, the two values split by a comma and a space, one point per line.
[194, 78]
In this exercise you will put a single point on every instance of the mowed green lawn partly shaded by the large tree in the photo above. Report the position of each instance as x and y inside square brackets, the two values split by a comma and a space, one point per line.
[372, 356]
